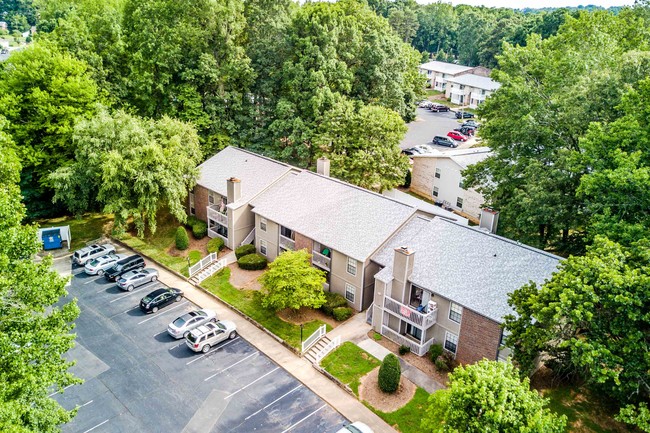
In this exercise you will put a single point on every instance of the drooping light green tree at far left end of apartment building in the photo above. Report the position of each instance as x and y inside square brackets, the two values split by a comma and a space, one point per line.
[131, 167]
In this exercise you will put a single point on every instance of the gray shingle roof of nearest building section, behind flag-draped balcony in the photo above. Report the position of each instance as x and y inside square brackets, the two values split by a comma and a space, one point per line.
[466, 265]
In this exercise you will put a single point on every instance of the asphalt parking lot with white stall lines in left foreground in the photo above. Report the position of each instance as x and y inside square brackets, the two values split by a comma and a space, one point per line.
[139, 379]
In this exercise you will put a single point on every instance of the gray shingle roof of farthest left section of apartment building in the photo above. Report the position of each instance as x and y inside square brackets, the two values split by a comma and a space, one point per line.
[255, 172]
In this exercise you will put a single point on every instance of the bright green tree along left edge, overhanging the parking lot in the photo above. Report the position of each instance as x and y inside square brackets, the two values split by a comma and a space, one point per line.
[34, 326]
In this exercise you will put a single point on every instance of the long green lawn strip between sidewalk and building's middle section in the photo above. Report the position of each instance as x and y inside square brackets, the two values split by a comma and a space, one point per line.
[244, 301]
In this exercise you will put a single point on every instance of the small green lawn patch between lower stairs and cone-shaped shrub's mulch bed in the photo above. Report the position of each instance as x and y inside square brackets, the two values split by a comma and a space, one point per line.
[349, 363]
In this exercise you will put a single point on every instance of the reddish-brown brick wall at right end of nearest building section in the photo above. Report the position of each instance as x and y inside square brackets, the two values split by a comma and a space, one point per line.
[479, 338]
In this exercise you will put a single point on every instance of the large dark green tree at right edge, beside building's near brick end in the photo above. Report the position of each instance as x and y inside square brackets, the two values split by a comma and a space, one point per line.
[590, 320]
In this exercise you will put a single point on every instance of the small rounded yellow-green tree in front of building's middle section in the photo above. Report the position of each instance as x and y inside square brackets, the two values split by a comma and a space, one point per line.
[292, 282]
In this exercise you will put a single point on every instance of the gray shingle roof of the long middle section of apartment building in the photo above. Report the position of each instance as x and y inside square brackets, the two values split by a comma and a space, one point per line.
[348, 219]
